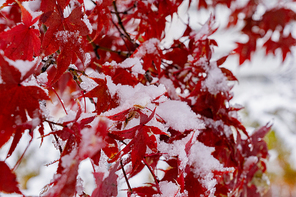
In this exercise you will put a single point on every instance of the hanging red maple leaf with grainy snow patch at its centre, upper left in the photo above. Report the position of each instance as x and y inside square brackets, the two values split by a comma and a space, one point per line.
[65, 34]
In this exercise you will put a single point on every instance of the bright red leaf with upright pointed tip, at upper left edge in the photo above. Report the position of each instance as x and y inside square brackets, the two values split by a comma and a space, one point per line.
[22, 41]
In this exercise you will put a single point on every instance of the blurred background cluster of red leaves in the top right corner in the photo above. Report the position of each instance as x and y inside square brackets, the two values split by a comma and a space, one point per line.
[274, 21]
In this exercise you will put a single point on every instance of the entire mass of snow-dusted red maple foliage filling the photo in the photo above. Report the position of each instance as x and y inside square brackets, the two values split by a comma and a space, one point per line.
[119, 41]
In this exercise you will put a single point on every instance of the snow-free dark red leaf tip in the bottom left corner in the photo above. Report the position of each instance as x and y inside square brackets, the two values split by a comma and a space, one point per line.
[8, 182]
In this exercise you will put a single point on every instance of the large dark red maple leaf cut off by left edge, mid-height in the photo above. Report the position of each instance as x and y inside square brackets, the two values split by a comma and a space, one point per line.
[17, 101]
